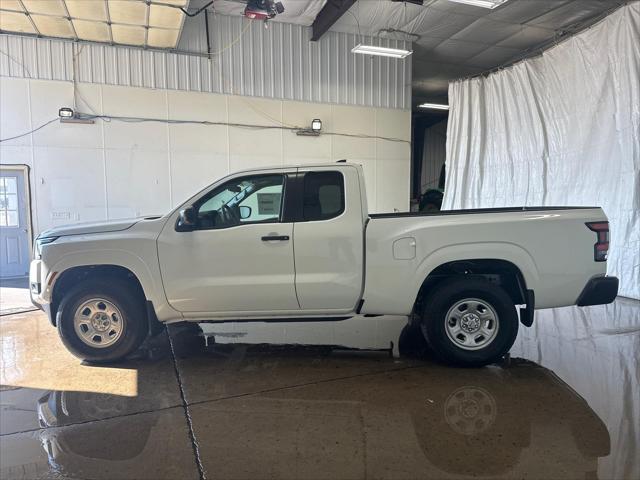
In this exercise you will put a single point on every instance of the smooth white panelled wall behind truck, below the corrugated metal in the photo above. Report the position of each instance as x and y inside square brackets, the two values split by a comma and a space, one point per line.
[114, 169]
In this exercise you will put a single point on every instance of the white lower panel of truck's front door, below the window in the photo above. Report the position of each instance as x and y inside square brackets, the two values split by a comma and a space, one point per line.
[228, 270]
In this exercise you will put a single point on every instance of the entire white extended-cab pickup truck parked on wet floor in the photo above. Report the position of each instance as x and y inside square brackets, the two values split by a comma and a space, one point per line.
[298, 243]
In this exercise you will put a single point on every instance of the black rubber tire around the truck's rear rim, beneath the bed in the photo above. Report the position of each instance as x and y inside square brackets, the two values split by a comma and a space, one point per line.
[444, 297]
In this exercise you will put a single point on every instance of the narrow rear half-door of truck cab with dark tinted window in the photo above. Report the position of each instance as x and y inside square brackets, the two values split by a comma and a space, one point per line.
[329, 239]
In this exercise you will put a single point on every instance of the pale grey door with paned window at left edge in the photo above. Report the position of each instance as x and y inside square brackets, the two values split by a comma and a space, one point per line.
[14, 226]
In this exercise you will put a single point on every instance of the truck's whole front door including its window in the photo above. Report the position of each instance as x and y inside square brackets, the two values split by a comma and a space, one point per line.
[238, 257]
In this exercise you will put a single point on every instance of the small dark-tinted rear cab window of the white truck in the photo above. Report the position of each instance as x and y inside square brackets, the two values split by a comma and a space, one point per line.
[323, 196]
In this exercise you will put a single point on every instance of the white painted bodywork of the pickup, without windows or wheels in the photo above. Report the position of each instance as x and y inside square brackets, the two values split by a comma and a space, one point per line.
[232, 274]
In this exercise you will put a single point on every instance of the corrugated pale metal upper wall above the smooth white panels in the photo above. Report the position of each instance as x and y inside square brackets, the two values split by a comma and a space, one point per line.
[248, 59]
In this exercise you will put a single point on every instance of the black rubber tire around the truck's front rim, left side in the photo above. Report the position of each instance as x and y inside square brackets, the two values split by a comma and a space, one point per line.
[131, 307]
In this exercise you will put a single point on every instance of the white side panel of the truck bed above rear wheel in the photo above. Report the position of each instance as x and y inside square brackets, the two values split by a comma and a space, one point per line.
[552, 249]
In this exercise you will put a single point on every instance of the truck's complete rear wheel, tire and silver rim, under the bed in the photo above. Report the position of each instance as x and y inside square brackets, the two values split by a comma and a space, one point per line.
[469, 322]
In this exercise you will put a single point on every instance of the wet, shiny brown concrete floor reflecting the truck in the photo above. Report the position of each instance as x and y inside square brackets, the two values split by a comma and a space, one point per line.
[565, 405]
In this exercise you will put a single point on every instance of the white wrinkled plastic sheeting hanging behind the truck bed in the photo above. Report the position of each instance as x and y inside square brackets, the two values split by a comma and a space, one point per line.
[559, 129]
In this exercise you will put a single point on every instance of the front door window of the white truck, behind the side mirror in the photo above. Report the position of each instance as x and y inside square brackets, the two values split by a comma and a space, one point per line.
[256, 199]
